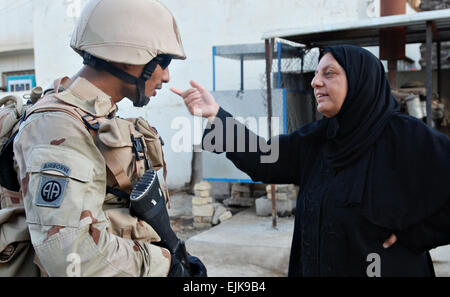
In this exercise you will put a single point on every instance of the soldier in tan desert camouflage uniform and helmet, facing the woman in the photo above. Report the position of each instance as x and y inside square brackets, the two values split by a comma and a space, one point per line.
[78, 162]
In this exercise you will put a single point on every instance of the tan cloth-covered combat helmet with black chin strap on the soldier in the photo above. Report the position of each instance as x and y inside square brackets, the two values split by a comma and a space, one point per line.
[137, 32]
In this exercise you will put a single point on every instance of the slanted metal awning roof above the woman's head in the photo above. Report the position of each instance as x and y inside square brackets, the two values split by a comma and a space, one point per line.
[366, 32]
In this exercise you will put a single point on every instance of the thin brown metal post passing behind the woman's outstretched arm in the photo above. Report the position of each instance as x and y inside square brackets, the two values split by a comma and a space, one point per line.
[269, 57]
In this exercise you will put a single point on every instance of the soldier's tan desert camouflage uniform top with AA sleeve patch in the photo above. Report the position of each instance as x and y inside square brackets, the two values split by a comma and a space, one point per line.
[64, 173]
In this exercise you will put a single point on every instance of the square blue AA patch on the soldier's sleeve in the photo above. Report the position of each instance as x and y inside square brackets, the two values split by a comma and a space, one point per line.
[51, 190]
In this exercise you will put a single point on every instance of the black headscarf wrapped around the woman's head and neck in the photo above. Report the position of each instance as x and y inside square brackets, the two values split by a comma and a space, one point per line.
[367, 108]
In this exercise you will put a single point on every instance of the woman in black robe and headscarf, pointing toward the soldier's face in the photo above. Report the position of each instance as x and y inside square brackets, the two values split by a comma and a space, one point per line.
[374, 183]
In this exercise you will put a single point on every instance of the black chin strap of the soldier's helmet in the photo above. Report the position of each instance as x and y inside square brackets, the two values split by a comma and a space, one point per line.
[101, 64]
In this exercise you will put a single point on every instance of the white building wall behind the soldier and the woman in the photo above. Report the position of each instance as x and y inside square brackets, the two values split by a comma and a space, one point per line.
[203, 24]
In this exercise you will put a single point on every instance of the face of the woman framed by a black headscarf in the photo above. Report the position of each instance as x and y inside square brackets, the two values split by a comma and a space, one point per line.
[330, 86]
